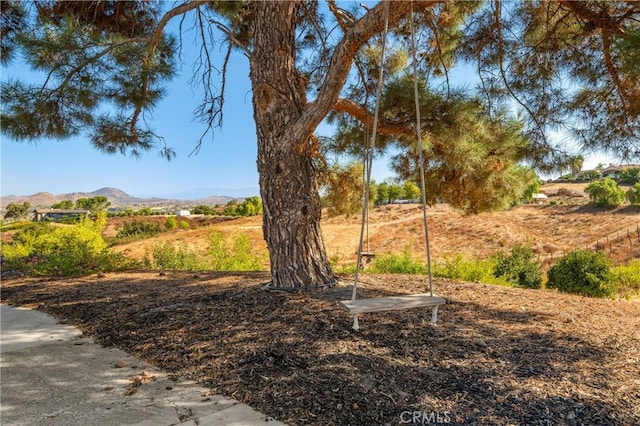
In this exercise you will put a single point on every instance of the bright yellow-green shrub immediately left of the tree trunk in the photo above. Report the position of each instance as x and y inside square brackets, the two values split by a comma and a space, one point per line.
[237, 257]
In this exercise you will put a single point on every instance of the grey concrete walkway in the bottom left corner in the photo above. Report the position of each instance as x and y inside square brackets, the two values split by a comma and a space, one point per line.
[52, 375]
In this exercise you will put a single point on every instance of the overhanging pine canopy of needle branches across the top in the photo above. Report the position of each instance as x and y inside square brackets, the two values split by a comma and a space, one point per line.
[569, 65]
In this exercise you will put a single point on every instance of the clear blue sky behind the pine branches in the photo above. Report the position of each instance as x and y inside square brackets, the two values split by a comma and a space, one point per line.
[225, 165]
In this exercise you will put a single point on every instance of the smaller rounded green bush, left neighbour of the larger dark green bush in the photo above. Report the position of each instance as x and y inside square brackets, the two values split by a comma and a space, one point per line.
[521, 268]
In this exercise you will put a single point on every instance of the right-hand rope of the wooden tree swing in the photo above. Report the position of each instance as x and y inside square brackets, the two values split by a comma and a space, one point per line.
[420, 149]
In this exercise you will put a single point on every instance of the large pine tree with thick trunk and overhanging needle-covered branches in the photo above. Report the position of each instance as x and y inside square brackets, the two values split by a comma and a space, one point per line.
[107, 63]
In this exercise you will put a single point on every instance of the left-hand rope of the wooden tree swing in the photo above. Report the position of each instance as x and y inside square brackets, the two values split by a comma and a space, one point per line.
[369, 162]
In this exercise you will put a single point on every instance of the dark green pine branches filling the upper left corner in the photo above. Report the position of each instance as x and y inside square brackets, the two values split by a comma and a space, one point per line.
[87, 53]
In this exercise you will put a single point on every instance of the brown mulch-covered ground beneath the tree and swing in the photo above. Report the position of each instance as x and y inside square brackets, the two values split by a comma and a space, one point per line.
[499, 356]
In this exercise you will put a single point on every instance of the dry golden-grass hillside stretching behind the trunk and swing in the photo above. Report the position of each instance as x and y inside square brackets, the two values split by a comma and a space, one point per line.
[551, 230]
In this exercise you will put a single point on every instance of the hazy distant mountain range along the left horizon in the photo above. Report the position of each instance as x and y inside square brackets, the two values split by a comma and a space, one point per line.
[117, 197]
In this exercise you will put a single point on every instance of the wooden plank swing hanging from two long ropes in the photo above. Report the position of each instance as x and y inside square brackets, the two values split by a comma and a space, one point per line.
[357, 306]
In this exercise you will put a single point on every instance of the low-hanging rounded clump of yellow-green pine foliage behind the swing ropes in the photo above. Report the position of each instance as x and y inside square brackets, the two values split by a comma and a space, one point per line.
[471, 158]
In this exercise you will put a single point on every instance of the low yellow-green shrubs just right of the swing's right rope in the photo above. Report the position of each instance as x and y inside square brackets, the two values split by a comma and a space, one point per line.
[462, 268]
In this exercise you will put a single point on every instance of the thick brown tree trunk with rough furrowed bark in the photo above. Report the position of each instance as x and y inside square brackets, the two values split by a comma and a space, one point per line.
[288, 178]
